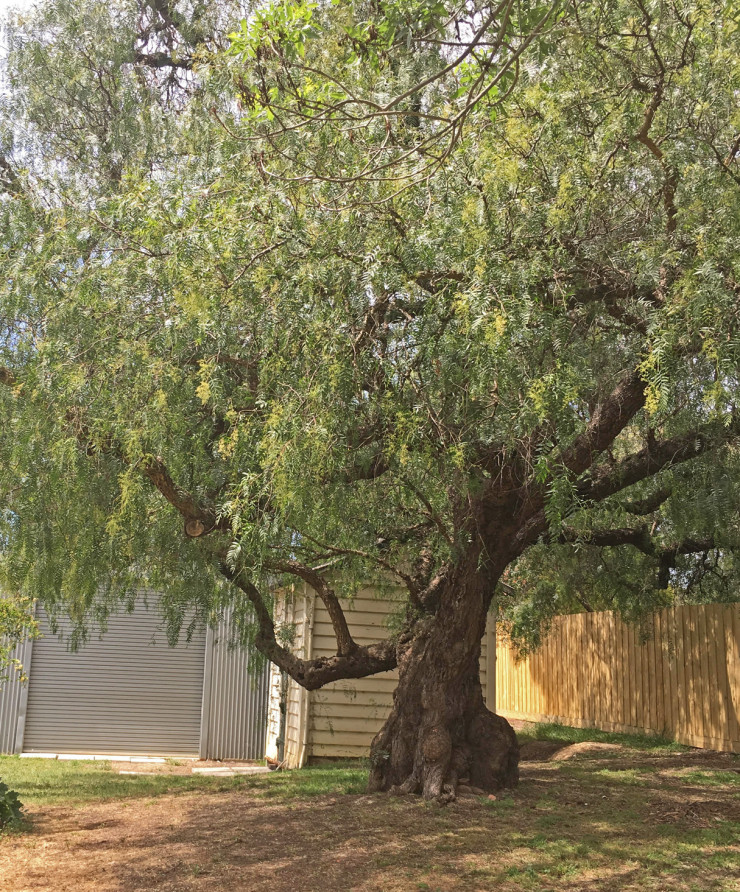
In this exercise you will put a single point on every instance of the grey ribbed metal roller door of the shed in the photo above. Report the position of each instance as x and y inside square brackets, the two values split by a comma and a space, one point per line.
[127, 692]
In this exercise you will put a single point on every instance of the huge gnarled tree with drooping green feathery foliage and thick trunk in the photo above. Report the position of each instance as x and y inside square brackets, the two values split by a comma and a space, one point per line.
[269, 307]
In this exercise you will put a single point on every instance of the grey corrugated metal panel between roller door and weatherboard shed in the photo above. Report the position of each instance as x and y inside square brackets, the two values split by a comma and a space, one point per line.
[235, 699]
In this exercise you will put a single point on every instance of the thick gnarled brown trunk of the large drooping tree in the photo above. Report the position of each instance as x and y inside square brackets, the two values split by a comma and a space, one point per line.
[439, 732]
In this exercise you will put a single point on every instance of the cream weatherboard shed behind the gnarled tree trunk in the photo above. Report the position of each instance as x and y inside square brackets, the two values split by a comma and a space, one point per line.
[341, 719]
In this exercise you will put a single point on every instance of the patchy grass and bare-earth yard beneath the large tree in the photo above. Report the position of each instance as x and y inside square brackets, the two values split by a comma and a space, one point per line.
[632, 814]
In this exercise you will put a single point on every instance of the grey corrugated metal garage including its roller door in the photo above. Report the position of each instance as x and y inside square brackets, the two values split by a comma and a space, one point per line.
[128, 691]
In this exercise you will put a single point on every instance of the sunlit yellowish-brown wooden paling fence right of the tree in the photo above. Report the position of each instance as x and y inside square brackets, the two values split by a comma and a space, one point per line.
[679, 675]
